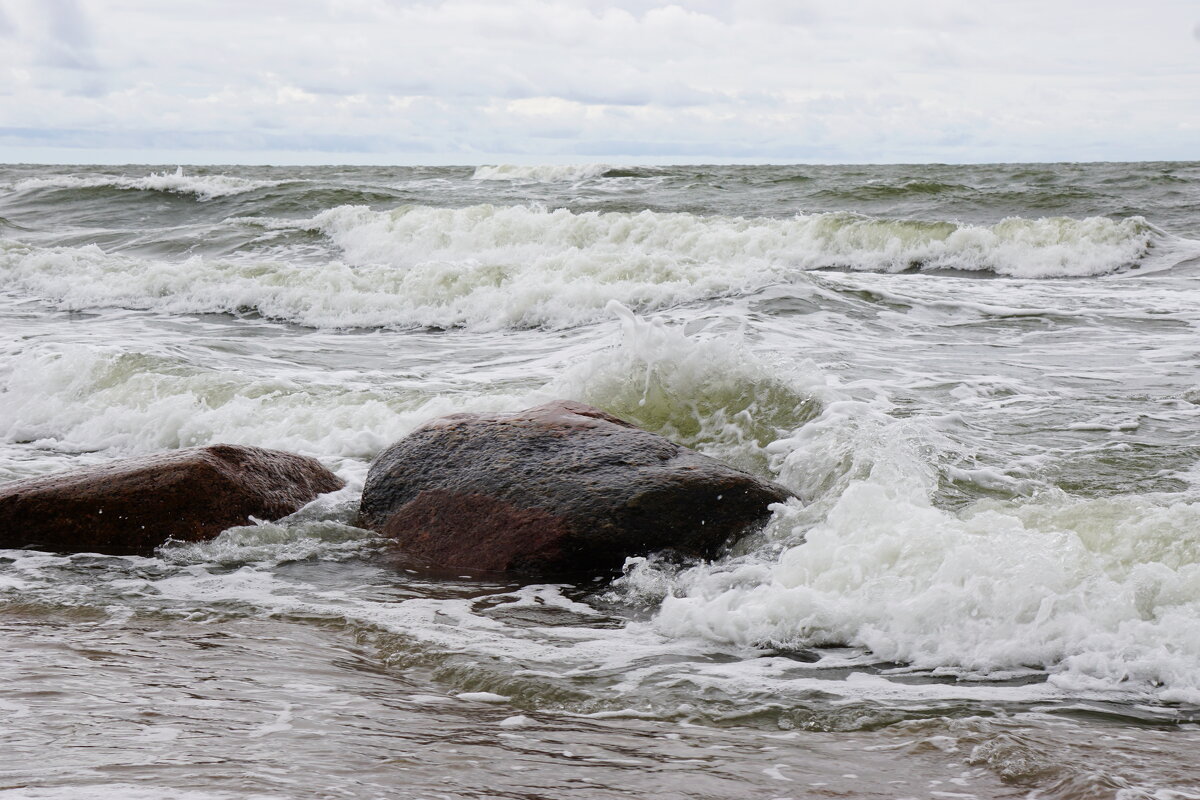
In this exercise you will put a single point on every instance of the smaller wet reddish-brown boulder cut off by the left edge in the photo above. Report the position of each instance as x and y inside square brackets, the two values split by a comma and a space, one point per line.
[133, 507]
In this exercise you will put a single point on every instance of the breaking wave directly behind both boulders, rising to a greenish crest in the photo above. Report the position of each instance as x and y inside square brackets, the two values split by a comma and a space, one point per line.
[710, 394]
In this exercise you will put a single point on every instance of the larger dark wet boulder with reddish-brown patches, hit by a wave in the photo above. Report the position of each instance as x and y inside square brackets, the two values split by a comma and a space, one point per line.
[562, 488]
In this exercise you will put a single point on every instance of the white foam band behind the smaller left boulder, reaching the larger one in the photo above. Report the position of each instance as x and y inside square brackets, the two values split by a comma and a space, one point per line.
[86, 398]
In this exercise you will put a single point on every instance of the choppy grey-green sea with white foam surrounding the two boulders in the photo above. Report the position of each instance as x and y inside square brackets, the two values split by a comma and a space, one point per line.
[982, 381]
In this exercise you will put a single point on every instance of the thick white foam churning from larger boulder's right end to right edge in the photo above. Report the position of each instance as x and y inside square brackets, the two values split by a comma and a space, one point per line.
[1103, 593]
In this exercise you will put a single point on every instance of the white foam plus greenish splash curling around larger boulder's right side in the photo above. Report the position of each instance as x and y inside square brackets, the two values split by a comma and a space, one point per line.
[1102, 593]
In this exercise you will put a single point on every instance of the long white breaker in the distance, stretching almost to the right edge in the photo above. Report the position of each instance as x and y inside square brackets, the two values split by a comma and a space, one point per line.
[645, 243]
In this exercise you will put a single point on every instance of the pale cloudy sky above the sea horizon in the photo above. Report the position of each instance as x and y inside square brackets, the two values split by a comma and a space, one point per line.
[467, 82]
